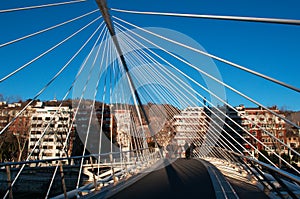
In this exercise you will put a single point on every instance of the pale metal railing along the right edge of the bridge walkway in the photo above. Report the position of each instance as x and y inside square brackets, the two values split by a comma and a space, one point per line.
[273, 181]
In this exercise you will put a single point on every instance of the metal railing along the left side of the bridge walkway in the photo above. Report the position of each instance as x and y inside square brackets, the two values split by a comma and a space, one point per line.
[119, 166]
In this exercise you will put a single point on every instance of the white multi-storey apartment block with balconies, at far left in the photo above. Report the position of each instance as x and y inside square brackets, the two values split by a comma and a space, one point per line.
[49, 128]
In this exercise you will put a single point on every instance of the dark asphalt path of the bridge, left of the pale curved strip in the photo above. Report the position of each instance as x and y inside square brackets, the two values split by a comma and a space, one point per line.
[181, 179]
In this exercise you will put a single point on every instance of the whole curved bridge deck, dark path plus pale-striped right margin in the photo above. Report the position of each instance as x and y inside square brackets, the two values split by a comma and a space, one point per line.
[183, 179]
